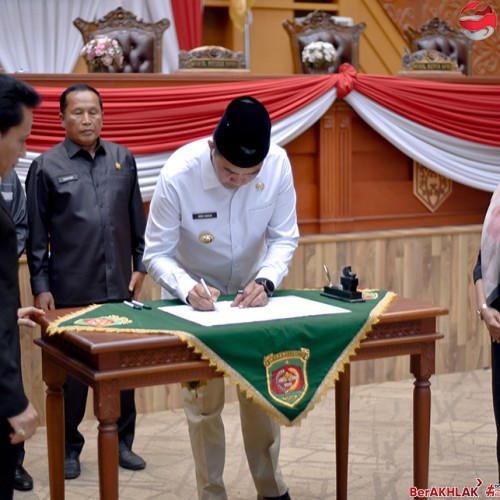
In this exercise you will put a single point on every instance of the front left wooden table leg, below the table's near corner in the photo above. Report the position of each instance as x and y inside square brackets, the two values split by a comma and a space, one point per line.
[107, 411]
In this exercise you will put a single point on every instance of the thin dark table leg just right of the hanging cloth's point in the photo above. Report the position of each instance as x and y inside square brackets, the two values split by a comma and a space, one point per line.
[342, 406]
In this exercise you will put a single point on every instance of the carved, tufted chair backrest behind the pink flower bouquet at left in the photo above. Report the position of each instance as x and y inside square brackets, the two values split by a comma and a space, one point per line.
[141, 42]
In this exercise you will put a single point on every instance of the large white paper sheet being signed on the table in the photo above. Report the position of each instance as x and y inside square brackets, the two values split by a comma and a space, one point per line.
[278, 308]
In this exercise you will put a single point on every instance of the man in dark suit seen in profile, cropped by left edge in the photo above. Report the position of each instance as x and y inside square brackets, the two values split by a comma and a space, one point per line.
[18, 417]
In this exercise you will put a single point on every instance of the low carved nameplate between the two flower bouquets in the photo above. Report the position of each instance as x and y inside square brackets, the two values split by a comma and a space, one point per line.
[211, 57]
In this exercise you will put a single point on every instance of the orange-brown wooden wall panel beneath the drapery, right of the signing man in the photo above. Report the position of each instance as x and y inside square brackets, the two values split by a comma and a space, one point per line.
[358, 181]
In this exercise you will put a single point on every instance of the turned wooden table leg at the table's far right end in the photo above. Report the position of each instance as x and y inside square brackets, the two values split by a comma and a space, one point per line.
[422, 367]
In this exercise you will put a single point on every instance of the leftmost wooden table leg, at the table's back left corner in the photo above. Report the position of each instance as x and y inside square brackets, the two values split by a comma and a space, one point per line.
[54, 377]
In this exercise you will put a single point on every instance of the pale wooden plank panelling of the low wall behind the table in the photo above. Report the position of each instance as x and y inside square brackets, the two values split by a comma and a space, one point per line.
[431, 264]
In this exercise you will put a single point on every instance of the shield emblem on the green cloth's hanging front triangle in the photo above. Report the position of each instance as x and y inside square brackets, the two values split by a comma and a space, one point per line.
[286, 374]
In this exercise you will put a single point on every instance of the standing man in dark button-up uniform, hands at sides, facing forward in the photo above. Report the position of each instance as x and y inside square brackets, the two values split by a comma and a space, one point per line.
[86, 227]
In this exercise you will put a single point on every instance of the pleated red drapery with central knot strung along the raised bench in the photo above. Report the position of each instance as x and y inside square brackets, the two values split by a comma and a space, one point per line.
[156, 120]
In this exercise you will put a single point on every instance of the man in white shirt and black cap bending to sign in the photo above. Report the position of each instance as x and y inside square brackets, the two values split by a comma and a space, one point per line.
[224, 212]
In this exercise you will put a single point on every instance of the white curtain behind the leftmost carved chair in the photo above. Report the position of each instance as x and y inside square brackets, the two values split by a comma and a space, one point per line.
[38, 36]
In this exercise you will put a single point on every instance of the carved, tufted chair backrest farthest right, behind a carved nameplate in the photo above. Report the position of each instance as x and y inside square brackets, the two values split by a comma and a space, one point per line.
[438, 35]
